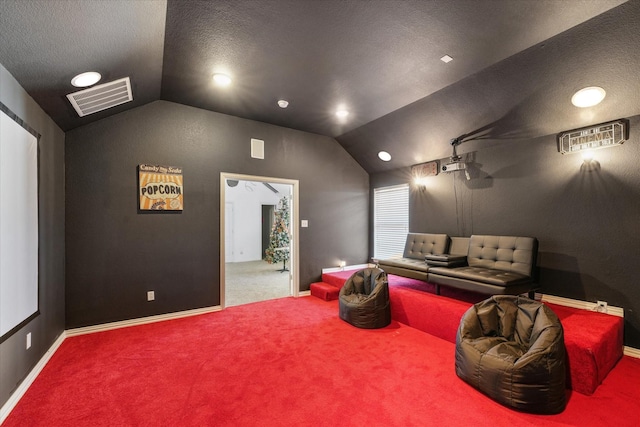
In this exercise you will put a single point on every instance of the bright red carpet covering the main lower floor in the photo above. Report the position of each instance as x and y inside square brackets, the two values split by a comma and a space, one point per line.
[287, 362]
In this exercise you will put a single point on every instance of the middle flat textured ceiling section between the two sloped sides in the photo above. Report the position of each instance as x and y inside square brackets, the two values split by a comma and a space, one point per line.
[371, 56]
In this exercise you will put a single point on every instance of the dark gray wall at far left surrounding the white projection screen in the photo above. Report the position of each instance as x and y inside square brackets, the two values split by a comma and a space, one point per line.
[15, 360]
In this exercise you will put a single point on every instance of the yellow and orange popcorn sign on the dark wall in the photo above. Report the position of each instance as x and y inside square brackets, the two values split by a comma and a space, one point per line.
[160, 188]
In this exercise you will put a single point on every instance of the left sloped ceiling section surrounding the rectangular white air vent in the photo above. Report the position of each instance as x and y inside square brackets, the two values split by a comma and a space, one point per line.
[44, 44]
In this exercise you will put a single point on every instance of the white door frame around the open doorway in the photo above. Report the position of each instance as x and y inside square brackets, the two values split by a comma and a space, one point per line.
[294, 262]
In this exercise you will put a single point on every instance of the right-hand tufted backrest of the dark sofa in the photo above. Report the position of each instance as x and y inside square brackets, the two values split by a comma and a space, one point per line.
[507, 253]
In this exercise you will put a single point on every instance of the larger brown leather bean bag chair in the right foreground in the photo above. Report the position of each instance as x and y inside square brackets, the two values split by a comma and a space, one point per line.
[512, 349]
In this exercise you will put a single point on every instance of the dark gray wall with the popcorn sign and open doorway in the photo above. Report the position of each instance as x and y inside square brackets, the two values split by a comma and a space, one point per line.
[115, 254]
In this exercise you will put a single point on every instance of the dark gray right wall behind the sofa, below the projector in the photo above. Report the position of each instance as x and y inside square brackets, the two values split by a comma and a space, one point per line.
[587, 222]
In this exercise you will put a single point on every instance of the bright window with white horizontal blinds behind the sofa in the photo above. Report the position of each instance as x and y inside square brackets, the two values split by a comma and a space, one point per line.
[390, 220]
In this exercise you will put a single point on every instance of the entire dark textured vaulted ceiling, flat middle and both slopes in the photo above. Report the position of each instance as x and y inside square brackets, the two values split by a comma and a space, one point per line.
[515, 65]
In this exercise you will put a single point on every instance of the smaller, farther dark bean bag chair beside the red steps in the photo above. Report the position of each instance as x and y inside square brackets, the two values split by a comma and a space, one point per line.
[364, 299]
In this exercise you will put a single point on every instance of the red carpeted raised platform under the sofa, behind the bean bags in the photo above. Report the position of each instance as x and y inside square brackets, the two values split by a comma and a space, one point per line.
[593, 340]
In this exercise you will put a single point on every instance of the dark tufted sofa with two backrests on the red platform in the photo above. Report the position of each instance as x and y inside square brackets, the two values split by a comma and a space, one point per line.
[494, 265]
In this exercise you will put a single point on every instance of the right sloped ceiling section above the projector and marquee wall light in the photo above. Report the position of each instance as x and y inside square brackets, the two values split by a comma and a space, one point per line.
[524, 97]
